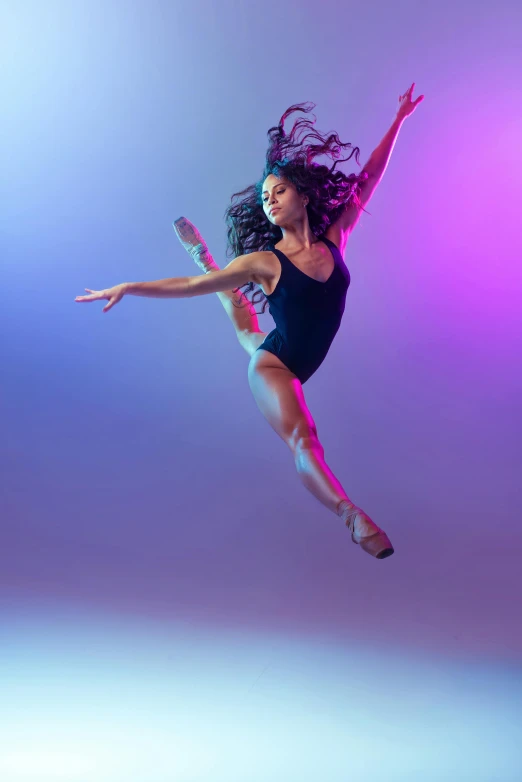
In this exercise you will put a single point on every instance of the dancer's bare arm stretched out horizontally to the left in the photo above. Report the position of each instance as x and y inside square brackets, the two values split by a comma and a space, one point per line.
[243, 269]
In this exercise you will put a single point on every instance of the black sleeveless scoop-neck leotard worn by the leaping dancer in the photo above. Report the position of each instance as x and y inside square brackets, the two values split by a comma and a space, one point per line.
[307, 314]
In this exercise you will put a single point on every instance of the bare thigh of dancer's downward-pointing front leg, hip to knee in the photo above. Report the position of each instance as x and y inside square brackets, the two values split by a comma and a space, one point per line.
[280, 398]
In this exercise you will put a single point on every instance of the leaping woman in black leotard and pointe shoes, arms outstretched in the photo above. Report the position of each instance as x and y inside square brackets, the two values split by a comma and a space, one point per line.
[288, 233]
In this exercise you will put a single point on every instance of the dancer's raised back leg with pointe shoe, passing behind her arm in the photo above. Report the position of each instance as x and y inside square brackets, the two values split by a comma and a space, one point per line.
[238, 308]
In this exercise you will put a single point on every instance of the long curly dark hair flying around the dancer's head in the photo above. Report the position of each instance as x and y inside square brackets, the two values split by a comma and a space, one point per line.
[291, 155]
